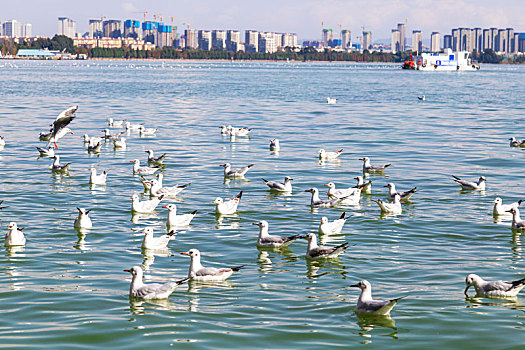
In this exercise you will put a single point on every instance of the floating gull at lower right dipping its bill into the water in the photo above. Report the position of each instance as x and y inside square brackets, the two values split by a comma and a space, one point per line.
[494, 289]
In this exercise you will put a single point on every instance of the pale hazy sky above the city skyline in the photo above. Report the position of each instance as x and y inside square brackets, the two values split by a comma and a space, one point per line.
[303, 17]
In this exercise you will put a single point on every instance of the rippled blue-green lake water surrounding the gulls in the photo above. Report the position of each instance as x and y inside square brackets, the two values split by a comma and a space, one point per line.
[67, 290]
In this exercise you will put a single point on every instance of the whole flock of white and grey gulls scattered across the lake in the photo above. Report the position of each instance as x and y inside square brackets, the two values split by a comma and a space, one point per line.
[157, 191]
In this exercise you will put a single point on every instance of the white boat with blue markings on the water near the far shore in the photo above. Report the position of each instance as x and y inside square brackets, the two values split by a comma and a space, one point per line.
[441, 61]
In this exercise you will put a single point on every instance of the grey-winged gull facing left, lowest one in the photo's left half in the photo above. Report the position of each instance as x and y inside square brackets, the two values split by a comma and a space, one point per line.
[138, 289]
